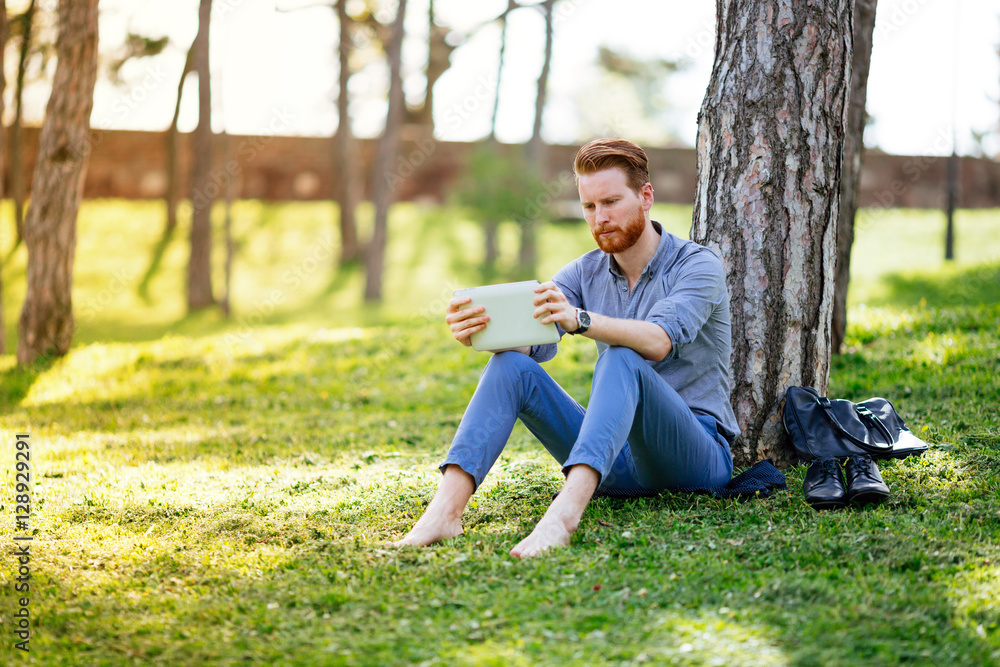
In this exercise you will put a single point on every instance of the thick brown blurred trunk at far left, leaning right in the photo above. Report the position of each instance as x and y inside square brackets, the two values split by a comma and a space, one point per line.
[46, 324]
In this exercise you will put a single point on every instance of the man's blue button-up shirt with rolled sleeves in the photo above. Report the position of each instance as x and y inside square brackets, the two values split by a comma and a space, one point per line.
[682, 289]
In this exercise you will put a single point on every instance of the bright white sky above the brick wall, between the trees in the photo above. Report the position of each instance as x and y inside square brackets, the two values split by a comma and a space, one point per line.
[935, 70]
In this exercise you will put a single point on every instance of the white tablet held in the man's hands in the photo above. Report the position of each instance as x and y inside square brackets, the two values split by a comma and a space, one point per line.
[511, 309]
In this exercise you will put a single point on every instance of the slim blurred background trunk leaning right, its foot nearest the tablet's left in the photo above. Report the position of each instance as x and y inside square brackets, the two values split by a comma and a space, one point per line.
[382, 172]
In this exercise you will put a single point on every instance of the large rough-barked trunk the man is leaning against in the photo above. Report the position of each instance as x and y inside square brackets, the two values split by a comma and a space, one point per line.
[770, 141]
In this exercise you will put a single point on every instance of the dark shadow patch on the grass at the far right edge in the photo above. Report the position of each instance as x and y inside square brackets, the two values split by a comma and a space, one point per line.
[969, 287]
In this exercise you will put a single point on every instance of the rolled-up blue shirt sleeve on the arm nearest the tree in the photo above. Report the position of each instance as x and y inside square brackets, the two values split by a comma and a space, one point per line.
[698, 287]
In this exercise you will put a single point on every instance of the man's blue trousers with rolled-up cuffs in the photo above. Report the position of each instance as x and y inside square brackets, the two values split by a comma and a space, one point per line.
[637, 432]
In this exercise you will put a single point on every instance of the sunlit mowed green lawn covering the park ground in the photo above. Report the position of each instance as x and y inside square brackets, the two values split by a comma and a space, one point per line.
[220, 492]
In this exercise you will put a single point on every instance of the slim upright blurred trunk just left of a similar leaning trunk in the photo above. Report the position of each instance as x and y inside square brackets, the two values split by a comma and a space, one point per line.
[344, 150]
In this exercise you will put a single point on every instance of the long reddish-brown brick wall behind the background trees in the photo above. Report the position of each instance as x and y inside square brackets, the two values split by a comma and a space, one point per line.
[132, 165]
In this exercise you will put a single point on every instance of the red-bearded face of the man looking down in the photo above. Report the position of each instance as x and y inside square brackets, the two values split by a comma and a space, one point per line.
[615, 214]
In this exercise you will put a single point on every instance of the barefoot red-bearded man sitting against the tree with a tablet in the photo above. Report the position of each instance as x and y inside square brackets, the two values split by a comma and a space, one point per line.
[659, 415]
